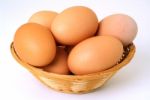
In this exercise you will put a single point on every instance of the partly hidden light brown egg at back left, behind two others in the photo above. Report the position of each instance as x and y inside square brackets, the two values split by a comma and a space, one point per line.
[44, 18]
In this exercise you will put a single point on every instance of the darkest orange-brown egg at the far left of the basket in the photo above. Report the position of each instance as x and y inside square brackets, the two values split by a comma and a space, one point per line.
[34, 44]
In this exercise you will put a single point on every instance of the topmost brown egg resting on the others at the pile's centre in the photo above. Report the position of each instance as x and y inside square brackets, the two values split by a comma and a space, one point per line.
[74, 24]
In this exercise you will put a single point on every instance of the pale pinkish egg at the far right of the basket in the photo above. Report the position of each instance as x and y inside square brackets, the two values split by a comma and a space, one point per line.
[120, 26]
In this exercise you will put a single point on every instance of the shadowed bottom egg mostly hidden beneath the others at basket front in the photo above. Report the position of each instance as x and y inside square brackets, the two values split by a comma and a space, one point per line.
[59, 64]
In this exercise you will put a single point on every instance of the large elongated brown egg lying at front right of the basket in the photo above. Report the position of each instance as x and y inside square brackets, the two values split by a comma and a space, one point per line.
[95, 54]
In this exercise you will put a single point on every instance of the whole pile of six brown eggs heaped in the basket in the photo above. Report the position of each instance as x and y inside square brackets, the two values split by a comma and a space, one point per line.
[73, 41]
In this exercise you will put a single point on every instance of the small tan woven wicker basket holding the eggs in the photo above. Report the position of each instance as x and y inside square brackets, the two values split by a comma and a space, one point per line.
[77, 83]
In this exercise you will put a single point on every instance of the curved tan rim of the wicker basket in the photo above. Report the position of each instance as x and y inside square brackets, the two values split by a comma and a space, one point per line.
[115, 68]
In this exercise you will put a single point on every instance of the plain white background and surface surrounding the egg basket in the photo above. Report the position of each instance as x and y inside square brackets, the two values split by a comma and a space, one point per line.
[130, 83]
